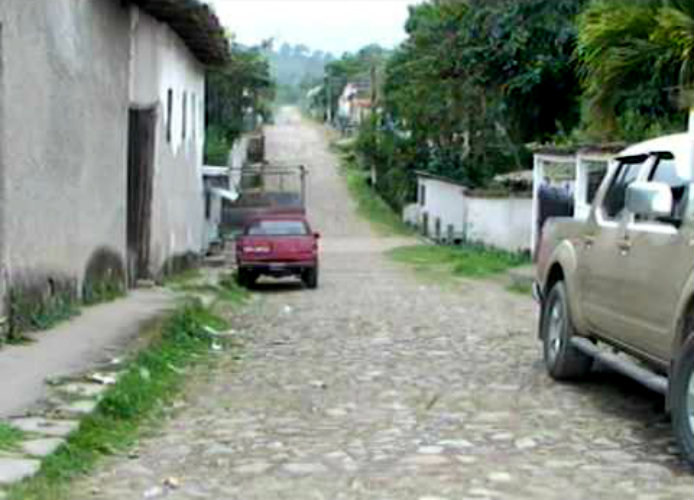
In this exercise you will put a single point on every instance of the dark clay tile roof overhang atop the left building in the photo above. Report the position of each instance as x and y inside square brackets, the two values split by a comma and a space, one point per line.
[197, 25]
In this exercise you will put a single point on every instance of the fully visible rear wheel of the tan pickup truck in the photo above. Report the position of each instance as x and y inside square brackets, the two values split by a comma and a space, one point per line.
[563, 361]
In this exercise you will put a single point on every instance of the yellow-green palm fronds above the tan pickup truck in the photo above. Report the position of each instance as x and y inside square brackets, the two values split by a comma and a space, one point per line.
[633, 54]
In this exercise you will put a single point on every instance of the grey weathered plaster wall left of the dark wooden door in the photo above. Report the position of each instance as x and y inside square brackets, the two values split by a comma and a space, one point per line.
[64, 98]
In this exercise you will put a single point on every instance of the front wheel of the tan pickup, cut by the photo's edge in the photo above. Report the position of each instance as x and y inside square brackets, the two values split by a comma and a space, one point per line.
[682, 400]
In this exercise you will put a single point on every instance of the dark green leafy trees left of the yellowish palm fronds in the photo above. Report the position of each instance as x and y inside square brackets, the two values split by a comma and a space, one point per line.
[472, 84]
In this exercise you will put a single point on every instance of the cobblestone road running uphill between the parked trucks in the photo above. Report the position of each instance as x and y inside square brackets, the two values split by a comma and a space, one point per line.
[380, 386]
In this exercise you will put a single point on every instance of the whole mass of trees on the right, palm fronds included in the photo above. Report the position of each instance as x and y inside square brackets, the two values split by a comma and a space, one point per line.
[476, 81]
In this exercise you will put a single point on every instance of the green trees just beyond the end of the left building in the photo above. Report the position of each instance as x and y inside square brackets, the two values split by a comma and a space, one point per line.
[238, 94]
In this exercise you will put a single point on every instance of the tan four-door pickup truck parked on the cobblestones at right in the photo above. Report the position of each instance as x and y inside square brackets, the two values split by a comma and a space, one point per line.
[619, 286]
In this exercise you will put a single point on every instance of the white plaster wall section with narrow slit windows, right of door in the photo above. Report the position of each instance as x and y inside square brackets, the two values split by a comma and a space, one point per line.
[161, 62]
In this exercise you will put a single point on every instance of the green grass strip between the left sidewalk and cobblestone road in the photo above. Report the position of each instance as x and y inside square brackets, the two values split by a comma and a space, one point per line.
[152, 380]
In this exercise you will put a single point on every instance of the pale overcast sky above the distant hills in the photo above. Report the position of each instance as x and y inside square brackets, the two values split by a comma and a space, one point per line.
[330, 25]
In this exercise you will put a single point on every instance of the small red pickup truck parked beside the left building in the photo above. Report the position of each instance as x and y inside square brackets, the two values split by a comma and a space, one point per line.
[278, 246]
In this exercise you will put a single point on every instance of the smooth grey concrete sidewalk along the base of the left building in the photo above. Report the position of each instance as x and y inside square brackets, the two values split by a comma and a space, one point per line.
[73, 347]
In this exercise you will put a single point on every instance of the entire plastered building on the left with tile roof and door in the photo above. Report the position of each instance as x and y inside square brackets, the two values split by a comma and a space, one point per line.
[101, 142]
